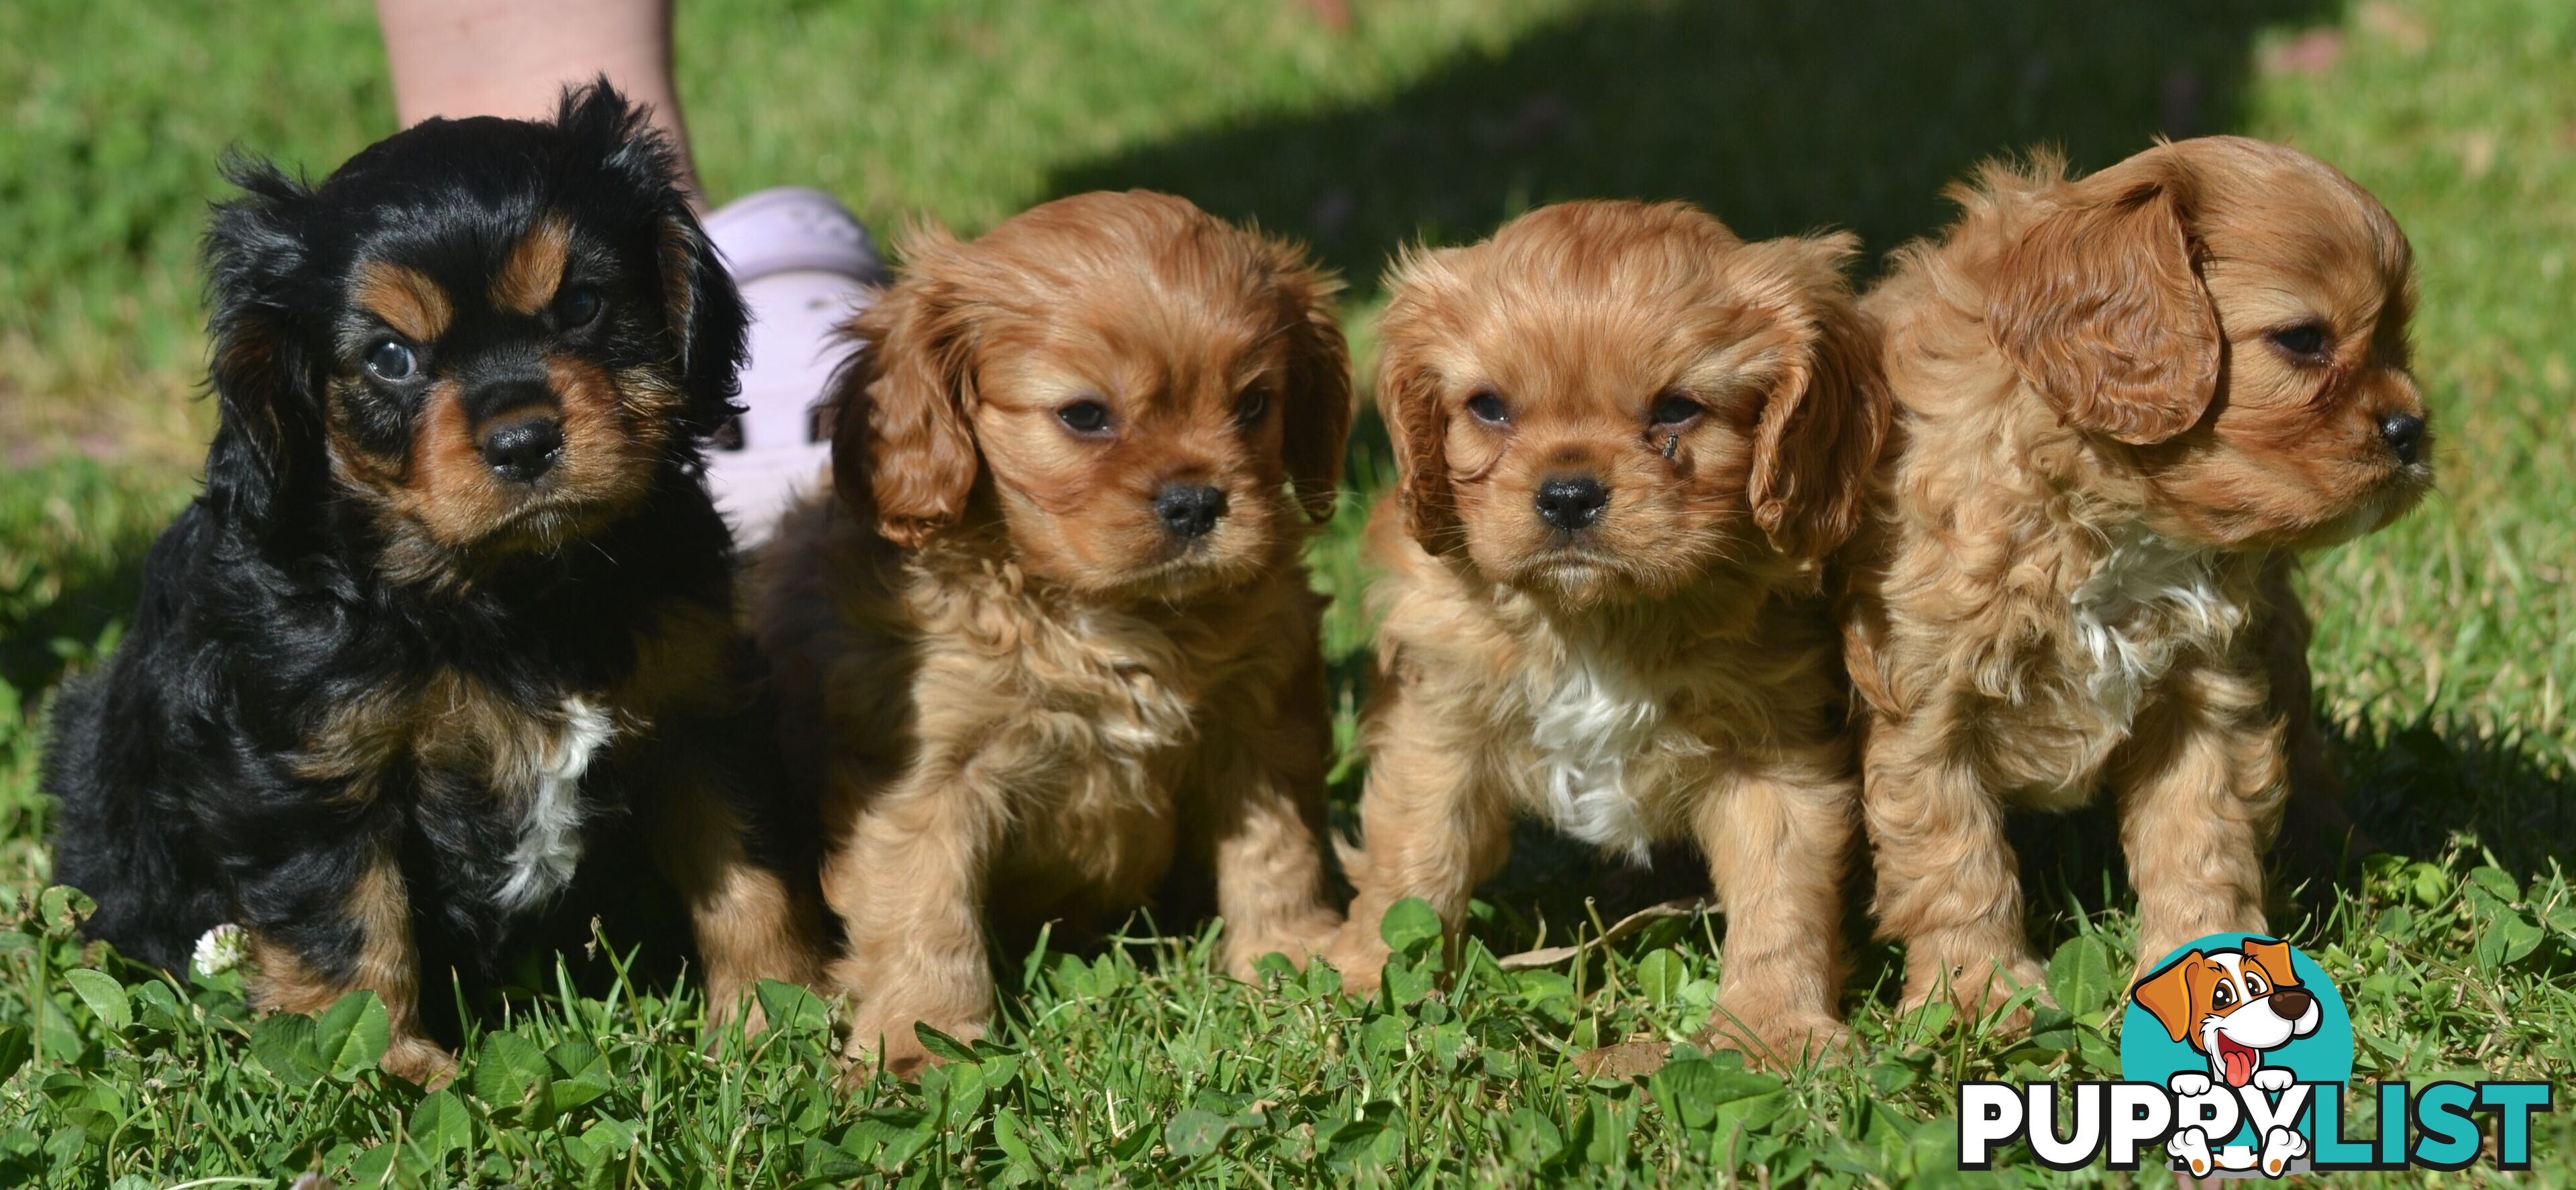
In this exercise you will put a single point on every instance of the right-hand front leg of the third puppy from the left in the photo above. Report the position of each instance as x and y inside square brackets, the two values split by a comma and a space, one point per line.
[1776, 854]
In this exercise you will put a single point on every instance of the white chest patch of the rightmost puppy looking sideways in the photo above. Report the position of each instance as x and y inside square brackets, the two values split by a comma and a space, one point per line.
[2139, 612]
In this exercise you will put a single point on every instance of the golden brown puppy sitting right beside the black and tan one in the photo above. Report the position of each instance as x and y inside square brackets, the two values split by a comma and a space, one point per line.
[1055, 632]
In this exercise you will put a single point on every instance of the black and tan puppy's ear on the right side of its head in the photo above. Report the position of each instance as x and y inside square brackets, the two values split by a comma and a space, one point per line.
[702, 310]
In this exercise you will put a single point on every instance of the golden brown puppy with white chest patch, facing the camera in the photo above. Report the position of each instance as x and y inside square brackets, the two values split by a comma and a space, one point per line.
[1627, 439]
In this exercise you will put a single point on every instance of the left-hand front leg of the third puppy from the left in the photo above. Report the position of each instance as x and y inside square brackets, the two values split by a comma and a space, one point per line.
[1431, 826]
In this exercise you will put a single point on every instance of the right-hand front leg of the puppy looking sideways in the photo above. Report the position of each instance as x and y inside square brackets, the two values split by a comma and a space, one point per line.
[2201, 795]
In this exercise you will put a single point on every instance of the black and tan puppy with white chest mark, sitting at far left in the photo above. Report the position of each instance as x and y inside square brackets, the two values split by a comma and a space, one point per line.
[455, 596]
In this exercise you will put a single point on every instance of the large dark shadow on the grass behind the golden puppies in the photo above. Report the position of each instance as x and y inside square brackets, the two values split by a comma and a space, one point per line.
[1779, 117]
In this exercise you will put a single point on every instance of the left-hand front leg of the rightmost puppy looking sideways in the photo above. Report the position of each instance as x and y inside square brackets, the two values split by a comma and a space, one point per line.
[1946, 877]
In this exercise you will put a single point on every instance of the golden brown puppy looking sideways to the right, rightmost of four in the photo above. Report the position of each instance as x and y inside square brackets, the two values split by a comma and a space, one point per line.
[2124, 406]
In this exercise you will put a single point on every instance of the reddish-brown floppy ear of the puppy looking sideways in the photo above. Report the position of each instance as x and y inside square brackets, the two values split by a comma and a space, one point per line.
[2101, 305]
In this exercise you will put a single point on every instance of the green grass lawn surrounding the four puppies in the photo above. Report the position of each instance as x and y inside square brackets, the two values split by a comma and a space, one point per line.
[2446, 648]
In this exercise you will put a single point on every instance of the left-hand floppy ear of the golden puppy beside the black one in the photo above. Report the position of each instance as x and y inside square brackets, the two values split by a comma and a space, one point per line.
[903, 449]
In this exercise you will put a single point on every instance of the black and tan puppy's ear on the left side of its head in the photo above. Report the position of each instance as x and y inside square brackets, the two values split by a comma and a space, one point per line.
[269, 434]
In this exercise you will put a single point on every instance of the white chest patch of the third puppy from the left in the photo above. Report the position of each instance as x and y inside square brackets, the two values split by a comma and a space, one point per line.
[1588, 728]
